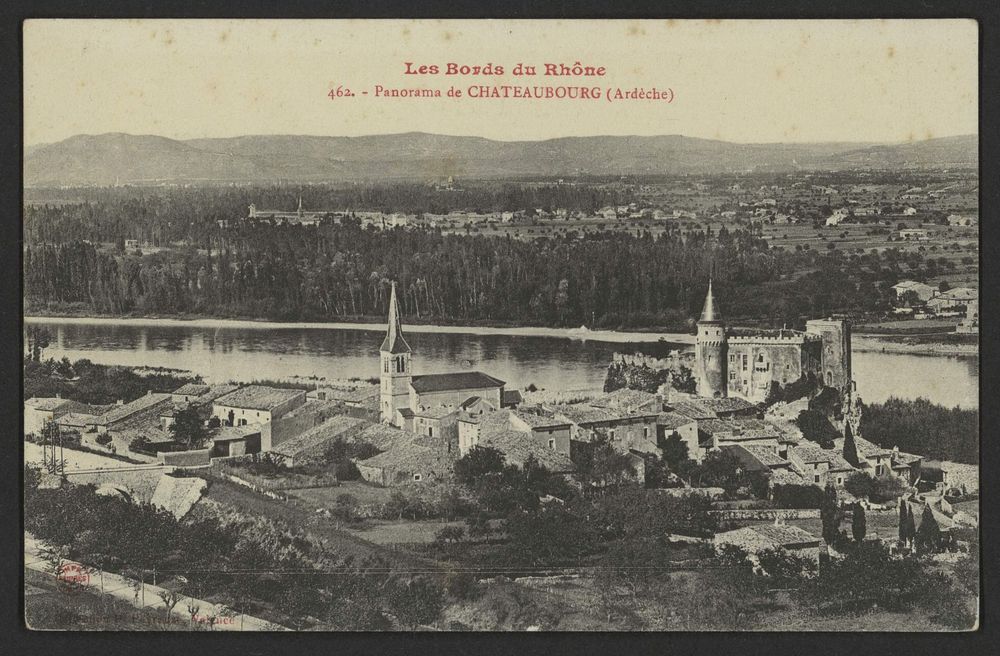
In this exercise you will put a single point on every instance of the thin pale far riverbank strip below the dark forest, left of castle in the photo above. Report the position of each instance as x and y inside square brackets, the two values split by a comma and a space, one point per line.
[581, 334]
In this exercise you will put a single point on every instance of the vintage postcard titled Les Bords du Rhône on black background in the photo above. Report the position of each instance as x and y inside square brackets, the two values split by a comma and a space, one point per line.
[501, 325]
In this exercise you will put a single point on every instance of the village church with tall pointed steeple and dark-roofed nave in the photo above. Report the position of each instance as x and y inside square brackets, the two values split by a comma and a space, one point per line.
[403, 395]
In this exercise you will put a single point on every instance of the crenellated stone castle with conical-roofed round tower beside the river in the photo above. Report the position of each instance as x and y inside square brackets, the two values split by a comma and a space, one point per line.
[749, 363]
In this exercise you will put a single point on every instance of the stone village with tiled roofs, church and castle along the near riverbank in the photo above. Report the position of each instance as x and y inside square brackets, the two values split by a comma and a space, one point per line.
[381, 463]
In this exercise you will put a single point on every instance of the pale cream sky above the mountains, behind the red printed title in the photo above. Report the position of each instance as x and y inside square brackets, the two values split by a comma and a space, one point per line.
[736, 80]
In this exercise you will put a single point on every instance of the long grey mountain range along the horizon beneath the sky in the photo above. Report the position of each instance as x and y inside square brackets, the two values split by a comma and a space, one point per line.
[106, 158]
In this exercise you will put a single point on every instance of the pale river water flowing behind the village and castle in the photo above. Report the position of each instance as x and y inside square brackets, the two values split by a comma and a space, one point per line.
[246, 353]
